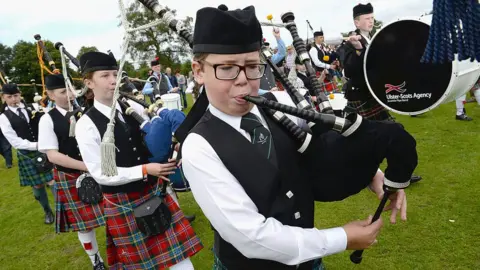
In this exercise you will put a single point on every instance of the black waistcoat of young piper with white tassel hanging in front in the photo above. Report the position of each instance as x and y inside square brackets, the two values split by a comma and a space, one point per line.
[131, 150]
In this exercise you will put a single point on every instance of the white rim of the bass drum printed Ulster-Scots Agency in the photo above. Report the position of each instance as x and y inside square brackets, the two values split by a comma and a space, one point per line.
[440, 100]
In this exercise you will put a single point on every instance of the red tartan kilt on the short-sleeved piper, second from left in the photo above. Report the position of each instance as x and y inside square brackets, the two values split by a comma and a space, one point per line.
[71, 213]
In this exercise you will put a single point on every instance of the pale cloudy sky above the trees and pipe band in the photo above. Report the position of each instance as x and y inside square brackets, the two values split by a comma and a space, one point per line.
[95, 22]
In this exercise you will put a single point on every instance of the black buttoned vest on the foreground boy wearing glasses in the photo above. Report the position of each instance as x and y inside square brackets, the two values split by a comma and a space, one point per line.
[279, 191]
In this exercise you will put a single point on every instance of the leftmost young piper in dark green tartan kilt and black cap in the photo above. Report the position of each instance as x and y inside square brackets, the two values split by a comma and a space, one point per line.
[20, 128]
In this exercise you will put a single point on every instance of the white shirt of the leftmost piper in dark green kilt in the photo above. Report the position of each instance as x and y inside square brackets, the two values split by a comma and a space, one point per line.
[12, 137]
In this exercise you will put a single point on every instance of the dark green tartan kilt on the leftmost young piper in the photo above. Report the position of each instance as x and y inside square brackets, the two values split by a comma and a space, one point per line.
[28, 172]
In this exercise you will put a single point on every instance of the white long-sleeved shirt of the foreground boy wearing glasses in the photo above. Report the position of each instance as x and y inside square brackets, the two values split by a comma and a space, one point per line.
[235, 216]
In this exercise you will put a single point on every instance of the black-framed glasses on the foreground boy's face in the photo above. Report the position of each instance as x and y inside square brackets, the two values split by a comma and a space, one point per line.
[231, 71]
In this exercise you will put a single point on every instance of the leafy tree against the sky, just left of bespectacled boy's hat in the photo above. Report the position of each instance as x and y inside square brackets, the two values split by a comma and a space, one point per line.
[158, 40]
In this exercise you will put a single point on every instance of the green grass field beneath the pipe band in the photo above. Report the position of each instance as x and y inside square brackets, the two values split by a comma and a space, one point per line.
[442, 230]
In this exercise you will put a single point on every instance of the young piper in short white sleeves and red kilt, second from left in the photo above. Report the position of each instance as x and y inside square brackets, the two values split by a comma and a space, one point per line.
[61, 148]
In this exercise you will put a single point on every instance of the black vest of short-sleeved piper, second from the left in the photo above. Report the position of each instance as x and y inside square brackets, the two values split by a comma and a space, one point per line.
[66, 145]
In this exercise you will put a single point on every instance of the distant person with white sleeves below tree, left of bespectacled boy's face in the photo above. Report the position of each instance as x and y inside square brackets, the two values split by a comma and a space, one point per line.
[164, 85]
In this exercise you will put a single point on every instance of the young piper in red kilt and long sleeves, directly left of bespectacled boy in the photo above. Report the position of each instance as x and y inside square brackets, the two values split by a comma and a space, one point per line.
[135, 182]
